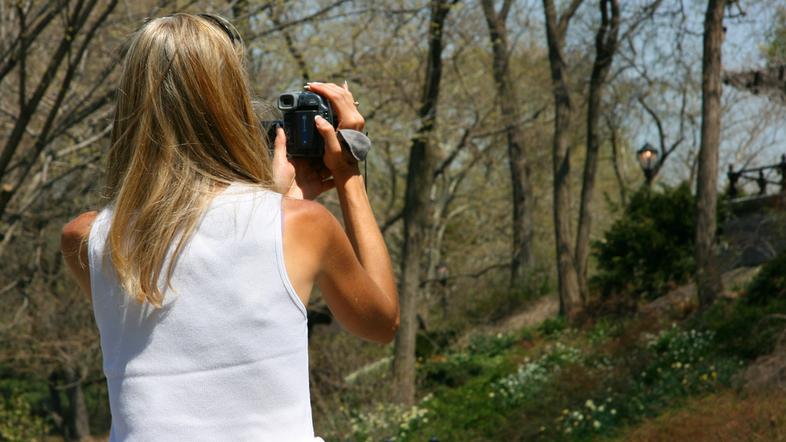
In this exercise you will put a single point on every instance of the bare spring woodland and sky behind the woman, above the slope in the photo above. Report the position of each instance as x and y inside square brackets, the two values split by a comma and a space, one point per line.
[505, 136]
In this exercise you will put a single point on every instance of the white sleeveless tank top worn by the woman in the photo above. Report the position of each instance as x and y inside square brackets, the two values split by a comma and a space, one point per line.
[226, 357]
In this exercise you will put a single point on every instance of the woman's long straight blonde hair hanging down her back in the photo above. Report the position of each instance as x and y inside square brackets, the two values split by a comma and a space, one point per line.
[184, 124]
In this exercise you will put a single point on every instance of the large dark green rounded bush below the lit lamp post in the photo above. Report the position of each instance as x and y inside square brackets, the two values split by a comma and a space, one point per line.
[650, 247]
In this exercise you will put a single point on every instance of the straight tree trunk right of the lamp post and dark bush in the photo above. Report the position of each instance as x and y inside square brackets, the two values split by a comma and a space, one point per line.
[707, 275]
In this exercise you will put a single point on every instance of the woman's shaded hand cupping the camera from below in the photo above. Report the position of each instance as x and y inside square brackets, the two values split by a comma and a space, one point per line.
[299, 178]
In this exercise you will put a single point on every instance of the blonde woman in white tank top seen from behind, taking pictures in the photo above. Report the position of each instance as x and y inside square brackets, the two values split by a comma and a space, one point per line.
[198, 268]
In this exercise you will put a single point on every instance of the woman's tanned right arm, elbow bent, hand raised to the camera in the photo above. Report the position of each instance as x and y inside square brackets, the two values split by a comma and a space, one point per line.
[352, 268]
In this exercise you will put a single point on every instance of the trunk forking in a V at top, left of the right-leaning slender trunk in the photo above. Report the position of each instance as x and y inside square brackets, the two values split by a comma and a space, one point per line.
[569, 293]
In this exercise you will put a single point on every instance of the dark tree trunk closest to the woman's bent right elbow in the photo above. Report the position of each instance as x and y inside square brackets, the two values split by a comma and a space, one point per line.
[420, 177]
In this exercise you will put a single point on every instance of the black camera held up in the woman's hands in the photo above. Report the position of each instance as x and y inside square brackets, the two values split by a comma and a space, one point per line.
[298, 110]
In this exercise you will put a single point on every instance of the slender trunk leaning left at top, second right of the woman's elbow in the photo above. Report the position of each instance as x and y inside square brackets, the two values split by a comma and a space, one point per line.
[510, 109]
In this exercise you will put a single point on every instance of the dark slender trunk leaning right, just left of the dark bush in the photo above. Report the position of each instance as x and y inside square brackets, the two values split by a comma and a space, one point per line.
[605, 47]
